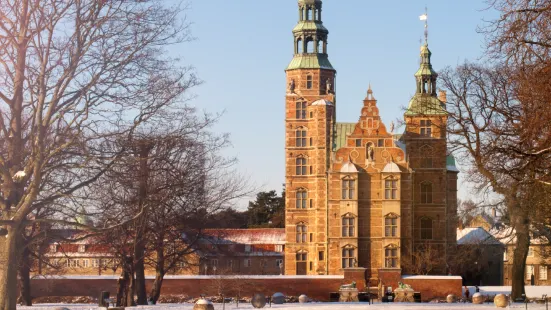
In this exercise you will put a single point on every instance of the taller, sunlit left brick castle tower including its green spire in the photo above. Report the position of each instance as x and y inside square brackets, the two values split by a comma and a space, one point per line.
[309, 121]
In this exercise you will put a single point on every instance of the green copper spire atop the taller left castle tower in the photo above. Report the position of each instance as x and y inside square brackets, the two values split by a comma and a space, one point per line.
[310, 37]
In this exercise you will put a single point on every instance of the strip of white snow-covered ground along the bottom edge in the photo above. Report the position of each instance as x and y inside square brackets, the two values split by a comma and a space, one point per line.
[316, 306]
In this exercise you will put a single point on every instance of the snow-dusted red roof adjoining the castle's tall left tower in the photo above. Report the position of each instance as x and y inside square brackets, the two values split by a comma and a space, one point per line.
[248, 236]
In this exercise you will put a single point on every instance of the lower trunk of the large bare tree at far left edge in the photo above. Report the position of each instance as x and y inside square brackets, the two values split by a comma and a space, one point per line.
[8, 270]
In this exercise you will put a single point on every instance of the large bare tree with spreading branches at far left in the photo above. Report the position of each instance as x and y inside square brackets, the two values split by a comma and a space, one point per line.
[80, 72]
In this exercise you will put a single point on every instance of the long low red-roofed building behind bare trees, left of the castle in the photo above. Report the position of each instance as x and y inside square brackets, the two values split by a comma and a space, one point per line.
[221, 251]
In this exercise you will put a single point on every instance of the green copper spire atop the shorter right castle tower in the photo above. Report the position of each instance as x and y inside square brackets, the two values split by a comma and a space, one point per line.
[425, 101]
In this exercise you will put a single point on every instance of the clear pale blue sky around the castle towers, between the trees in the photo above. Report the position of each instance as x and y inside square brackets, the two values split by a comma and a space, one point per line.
[243, 47]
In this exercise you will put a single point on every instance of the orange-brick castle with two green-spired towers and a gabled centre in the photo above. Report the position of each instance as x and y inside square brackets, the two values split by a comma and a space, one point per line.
[358, 195]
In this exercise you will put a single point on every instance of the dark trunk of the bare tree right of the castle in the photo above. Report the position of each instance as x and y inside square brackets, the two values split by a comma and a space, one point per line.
[522, 230]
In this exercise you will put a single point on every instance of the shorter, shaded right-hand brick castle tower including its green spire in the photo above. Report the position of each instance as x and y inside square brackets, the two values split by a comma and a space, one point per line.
[433, 184]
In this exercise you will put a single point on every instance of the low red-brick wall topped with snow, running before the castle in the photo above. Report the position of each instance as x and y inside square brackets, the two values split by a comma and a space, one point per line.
[317, 287]
